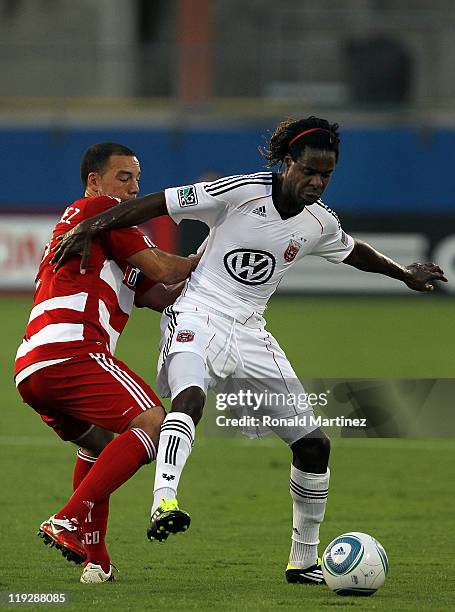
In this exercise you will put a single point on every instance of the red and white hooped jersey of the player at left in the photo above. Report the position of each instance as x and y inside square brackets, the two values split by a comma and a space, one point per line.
[73, 313]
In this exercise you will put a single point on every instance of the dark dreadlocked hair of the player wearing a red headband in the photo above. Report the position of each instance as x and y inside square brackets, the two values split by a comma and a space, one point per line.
[325, 137]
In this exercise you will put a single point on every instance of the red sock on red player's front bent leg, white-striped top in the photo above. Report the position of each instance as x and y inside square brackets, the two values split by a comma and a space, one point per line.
[116, 464]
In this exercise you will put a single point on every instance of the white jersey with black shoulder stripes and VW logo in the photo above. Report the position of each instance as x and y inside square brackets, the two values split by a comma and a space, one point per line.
[250, 247]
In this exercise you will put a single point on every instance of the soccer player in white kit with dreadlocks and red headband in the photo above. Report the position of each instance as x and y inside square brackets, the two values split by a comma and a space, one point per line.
[260, 225]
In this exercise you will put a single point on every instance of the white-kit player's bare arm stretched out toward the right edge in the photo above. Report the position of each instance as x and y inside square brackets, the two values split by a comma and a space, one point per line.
[417, 276]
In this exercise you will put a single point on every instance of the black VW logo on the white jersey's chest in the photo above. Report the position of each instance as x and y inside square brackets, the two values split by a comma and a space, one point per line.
[250, 267]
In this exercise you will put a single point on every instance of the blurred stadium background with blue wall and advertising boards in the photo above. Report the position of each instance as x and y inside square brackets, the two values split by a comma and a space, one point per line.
[194, 87]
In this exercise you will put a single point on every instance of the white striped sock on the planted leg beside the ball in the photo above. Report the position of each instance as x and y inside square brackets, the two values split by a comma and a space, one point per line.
[309, 495]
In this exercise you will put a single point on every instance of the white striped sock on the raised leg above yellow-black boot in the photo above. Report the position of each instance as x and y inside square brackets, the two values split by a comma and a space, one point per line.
[176, 440]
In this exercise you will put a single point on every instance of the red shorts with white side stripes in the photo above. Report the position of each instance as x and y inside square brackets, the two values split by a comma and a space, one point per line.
[91, 389]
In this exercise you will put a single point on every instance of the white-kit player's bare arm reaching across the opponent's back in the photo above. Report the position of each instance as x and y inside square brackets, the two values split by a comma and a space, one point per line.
[126, 214]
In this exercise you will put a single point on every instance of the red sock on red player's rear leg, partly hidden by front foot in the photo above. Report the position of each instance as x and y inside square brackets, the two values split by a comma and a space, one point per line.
[95, 525]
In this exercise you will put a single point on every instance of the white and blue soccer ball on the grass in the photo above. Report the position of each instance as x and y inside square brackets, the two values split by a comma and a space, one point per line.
[354, 564]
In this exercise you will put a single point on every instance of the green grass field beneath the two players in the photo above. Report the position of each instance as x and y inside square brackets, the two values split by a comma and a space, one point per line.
[236, 490]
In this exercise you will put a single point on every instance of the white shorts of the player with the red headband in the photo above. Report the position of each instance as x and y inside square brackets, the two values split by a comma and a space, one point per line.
[237, 357]
